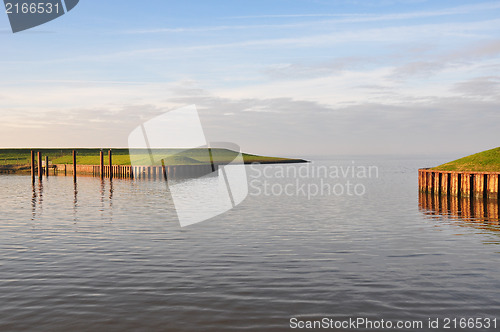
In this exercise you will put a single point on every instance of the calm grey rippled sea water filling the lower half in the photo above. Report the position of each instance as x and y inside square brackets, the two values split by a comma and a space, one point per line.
[111, 256]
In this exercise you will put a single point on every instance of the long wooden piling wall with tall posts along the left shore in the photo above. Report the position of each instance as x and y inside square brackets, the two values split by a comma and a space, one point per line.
[119, 171]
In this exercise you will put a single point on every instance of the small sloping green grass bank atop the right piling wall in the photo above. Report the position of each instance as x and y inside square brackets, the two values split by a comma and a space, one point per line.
[486, 161]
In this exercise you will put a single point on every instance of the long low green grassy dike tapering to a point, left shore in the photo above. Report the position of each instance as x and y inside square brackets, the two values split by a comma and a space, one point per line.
[10, 157]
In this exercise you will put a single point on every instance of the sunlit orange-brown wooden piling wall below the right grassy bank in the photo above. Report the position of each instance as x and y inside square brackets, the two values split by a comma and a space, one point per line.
[463, 184]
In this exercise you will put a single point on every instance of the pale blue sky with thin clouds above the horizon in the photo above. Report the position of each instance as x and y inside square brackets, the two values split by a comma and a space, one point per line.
[277, 77]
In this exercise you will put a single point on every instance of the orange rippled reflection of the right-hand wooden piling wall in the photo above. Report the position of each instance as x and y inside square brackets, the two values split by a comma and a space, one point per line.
[477, 212]
